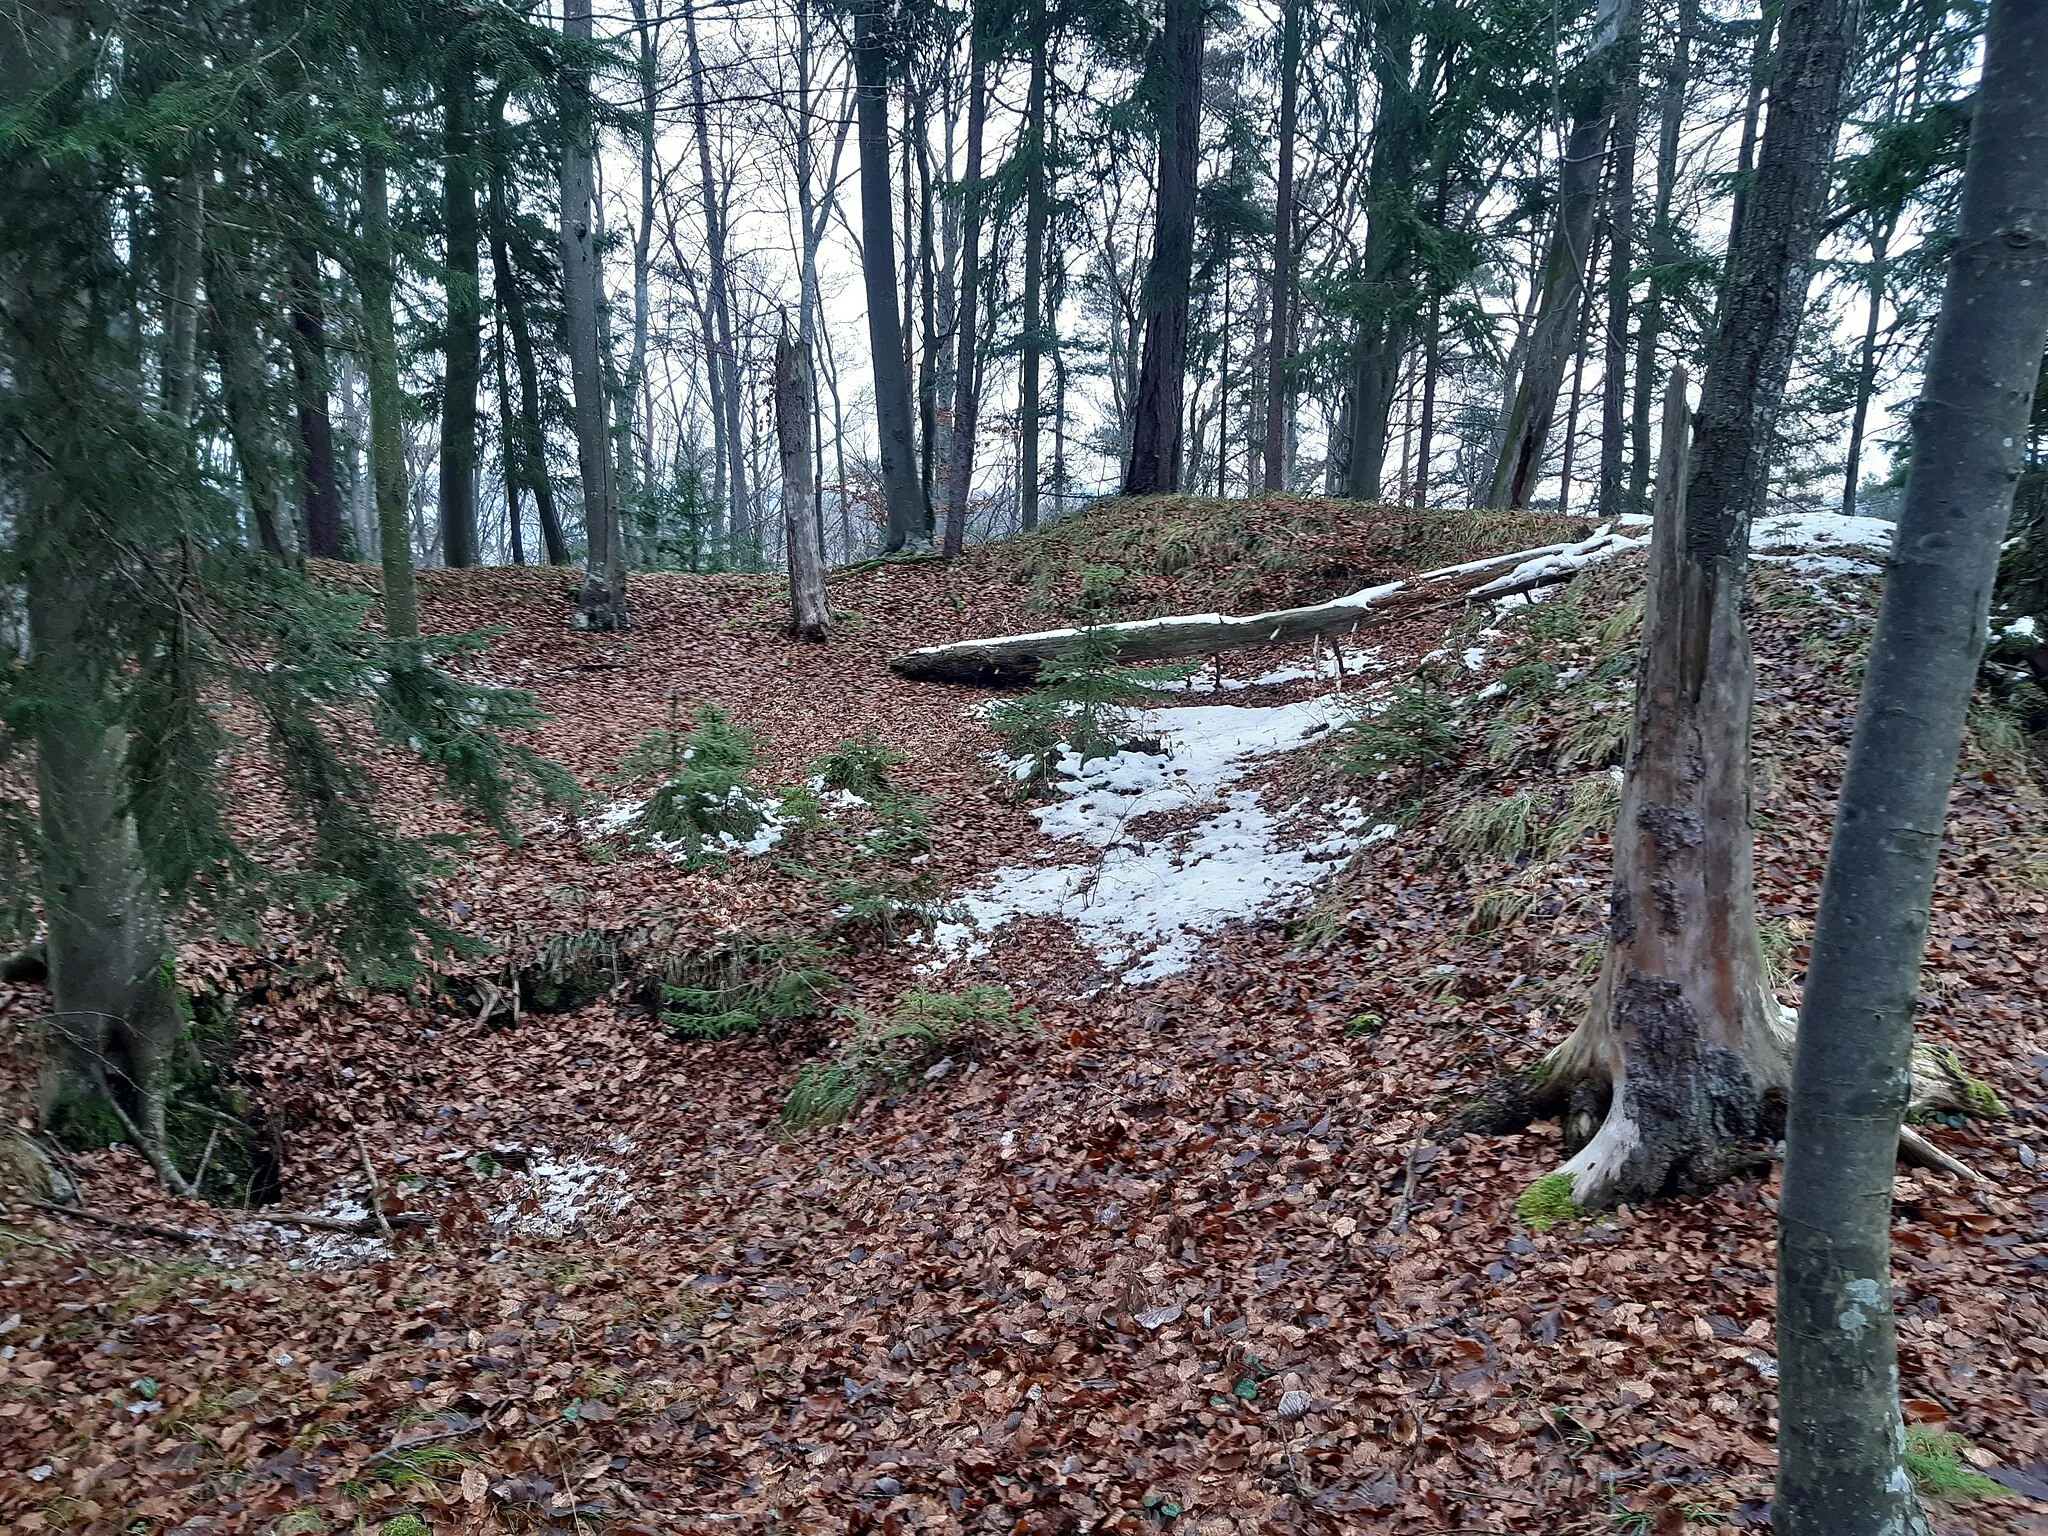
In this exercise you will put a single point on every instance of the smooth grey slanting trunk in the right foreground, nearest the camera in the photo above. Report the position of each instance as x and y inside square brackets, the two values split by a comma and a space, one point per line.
[1842, 1447]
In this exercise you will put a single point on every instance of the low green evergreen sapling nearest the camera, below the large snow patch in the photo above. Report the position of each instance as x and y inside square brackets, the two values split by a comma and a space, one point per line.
[914, 1039]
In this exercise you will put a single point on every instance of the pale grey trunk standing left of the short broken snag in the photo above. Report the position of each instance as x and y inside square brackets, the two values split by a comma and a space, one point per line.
[603, 603]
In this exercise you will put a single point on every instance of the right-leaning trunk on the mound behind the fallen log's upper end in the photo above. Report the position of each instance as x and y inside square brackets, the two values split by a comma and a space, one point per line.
[1568, 267]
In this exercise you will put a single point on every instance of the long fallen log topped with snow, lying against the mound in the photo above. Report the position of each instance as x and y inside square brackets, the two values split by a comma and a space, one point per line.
[1013, 660]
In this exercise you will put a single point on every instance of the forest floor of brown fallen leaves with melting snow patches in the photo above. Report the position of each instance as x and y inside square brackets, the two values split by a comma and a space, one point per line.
[1193, 1250]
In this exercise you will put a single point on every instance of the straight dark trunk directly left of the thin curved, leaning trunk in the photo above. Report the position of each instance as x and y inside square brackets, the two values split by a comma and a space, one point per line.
[466, 314]
